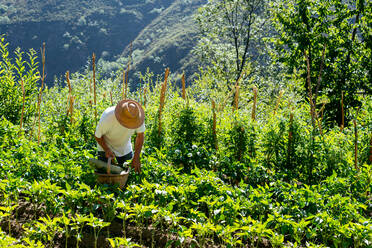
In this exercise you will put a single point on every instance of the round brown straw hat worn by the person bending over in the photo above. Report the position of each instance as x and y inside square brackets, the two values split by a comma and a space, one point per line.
[130, 114]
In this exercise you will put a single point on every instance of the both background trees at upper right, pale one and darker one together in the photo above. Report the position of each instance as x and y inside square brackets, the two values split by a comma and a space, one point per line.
[324, 45]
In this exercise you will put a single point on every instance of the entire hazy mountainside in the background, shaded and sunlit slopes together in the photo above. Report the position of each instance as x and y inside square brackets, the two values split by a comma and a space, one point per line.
[73, 30]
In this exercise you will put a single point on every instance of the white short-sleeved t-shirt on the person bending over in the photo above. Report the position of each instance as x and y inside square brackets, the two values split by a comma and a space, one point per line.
[117, 137]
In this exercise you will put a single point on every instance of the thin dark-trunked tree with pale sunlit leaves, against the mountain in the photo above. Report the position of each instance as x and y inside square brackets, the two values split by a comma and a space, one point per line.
[230, 31]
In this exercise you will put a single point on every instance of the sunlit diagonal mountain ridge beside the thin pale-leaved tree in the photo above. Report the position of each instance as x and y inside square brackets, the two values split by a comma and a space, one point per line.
[168, 40]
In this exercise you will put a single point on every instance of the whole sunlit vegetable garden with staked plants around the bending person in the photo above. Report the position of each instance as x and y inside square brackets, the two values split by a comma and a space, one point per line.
[220, 168]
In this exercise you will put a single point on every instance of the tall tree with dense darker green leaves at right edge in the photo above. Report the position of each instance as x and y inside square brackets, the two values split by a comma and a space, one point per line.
[329, 41]
